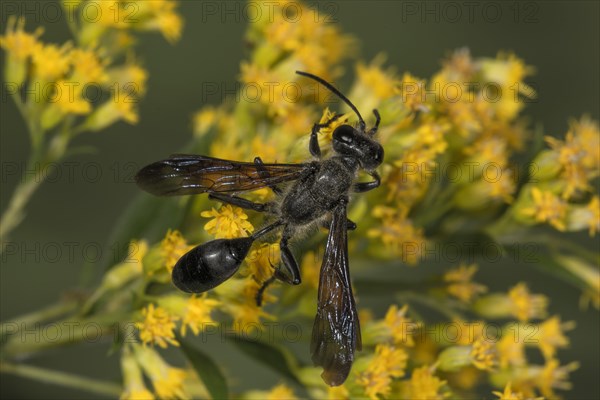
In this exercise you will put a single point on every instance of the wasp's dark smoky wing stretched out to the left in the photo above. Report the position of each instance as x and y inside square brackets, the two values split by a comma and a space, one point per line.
[183, 174]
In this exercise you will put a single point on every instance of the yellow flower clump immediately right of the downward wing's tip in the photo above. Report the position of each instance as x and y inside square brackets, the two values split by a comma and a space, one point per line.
[387, 363]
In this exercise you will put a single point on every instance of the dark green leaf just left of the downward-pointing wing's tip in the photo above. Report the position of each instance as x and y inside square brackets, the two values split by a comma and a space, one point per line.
[276, 358]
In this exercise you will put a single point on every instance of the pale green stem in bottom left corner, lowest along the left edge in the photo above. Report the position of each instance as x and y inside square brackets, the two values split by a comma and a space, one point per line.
[62, 378]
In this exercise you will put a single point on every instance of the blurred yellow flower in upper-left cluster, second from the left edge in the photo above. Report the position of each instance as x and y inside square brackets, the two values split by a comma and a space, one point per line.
[50, 61]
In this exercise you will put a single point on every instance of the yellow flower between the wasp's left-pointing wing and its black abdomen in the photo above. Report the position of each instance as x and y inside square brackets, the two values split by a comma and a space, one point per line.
[228, 222]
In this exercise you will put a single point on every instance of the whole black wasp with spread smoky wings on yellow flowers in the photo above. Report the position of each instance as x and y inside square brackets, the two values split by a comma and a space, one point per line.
[318, 196]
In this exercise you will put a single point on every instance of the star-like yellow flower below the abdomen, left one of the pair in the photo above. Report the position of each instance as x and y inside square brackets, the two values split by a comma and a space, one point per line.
[157, 327]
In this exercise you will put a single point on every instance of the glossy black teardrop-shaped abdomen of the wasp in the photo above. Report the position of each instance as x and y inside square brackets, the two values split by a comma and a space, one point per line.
[210, 264]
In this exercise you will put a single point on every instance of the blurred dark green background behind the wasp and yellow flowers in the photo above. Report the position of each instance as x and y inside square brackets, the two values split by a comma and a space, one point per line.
[559, 38]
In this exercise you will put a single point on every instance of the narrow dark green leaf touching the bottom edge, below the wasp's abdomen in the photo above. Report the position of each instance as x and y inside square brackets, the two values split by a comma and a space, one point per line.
[207, 370]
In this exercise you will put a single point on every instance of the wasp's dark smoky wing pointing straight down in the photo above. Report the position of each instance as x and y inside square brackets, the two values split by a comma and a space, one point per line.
[336, 332]
